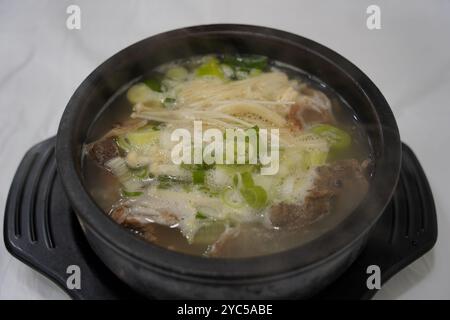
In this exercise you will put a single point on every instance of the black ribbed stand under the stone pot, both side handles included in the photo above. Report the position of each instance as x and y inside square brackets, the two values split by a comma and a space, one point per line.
[41, 230]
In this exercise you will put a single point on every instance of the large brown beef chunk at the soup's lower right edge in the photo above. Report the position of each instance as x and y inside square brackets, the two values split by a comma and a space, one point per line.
[338, 186]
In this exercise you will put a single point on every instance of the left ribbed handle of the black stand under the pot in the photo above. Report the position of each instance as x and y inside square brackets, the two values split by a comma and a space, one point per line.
[41, 230]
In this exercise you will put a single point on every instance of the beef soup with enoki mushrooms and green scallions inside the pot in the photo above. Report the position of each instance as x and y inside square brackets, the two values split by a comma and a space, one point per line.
[275, 157]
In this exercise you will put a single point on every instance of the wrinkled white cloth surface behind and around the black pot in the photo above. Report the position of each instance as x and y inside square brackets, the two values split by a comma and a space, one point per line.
[42, 63]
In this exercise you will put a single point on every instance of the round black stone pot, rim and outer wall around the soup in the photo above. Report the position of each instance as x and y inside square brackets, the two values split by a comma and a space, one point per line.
[158, 272]
